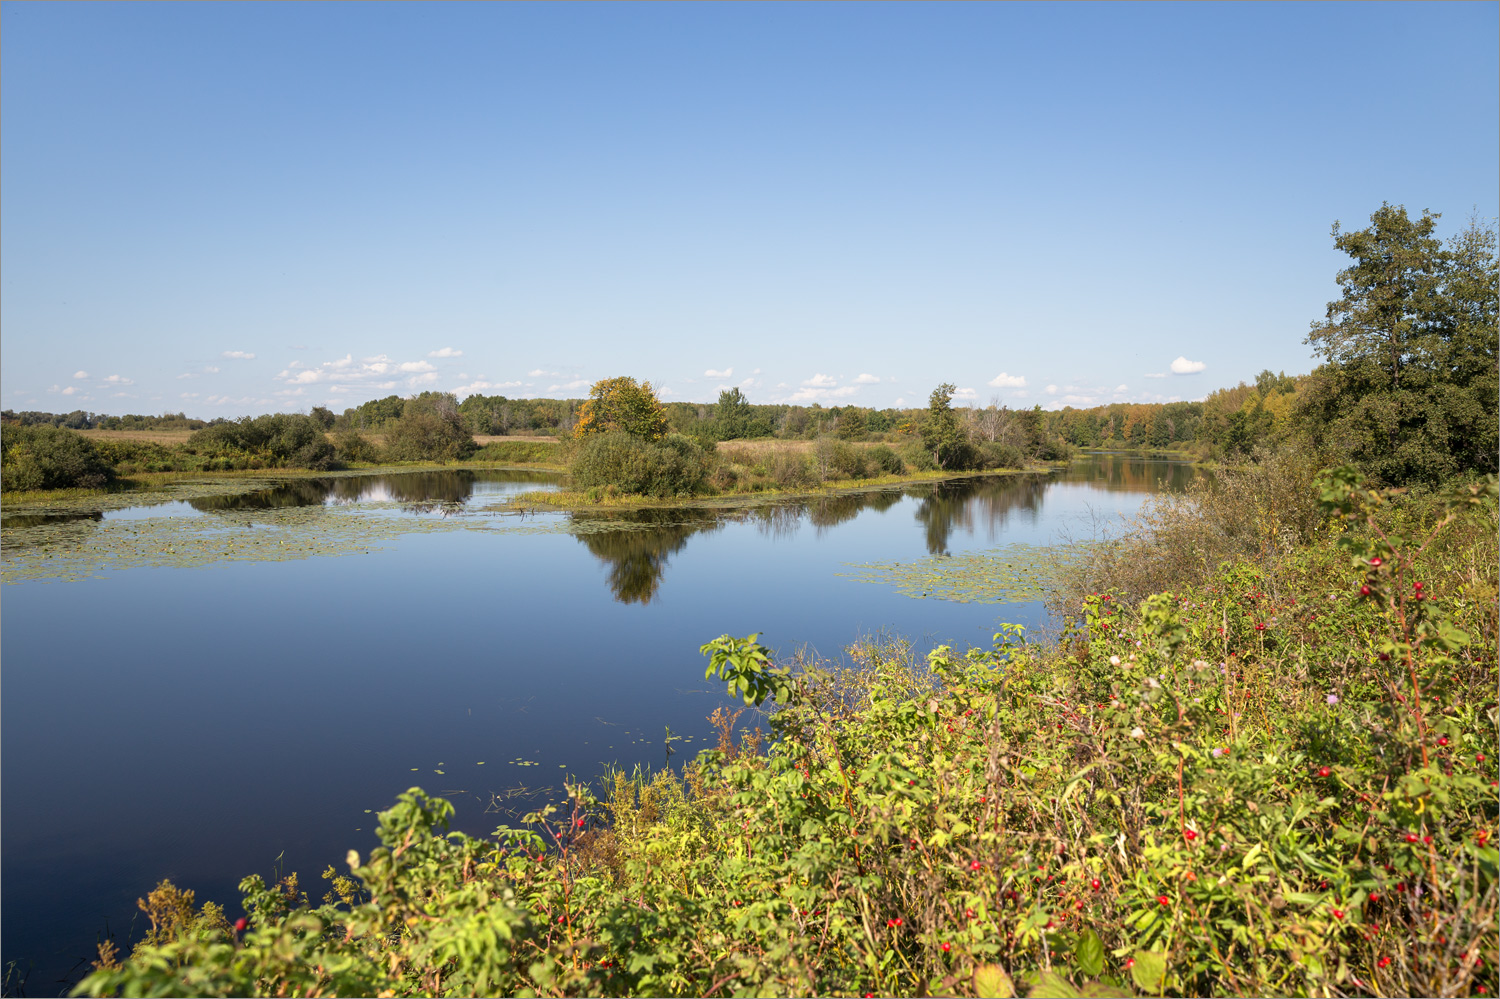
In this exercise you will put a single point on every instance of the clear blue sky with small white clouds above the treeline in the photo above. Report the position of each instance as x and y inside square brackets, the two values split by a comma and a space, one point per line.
[232, 209]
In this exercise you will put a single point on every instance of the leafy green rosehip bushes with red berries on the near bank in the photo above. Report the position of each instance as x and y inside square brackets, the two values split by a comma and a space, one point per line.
[1229, 790]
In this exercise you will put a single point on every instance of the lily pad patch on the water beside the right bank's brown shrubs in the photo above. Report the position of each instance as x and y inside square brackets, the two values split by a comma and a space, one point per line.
[1013, 574]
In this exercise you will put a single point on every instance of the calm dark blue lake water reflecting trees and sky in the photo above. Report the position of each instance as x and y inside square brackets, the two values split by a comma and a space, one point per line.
[211, 722]
